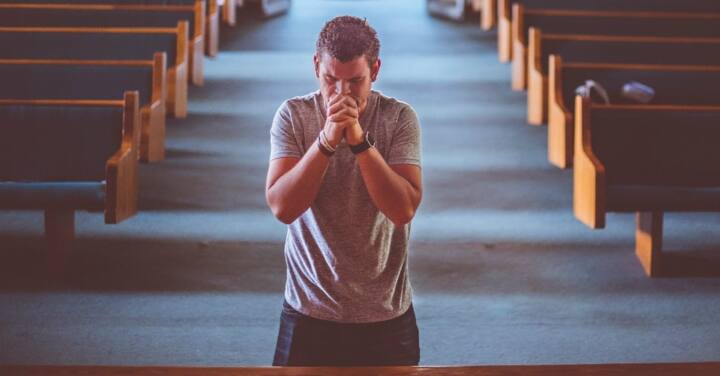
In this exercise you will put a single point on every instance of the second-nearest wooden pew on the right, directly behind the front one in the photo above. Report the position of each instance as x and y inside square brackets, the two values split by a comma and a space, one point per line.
[673, 84]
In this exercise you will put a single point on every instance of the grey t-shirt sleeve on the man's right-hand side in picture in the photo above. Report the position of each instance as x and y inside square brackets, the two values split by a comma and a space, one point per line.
[405, 146]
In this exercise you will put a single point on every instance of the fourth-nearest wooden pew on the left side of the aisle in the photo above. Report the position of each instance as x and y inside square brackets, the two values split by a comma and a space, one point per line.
[103, 15]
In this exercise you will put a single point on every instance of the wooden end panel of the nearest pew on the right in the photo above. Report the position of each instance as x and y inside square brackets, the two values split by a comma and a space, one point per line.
[589, 181]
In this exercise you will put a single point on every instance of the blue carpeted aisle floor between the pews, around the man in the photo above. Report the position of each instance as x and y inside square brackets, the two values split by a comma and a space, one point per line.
[502, 271]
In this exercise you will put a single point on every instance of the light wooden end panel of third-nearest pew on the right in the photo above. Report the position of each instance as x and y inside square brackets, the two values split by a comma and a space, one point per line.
[537, 99]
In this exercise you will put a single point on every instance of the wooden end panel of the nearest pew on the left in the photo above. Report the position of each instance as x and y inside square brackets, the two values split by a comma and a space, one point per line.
[122, 168]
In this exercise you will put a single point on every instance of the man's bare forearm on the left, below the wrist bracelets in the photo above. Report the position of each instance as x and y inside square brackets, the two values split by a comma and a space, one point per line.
[292, 194]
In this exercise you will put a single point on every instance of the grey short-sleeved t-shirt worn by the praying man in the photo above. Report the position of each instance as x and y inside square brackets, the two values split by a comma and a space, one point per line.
[346, 261]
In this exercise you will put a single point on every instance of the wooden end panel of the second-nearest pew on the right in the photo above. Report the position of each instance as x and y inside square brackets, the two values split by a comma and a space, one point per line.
[560, 126]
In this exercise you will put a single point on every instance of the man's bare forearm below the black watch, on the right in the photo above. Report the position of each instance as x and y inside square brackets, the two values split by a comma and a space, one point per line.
[391, 193]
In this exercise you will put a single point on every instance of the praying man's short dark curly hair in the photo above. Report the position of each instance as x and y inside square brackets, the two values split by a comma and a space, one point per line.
[346, 38]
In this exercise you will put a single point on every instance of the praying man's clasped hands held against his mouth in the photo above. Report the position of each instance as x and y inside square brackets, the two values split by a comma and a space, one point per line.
[342, 121]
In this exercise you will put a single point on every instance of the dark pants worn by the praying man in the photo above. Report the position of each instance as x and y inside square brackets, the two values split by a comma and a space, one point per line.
[306, 341]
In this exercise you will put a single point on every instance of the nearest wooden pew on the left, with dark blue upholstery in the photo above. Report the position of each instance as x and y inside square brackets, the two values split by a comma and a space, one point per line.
[60, 156]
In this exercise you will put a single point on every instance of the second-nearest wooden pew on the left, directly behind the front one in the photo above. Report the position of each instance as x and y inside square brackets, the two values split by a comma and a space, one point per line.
[95, 79]
